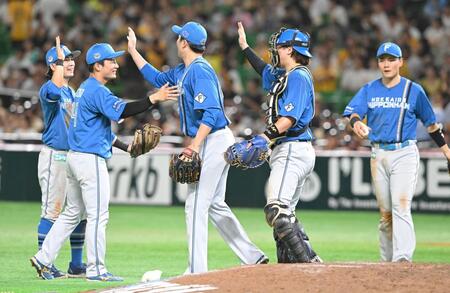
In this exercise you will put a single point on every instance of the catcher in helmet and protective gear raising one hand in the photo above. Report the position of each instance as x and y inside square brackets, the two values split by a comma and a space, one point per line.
[290, 111]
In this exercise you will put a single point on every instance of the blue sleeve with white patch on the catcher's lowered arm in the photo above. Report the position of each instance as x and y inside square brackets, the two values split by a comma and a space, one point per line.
[296, 96]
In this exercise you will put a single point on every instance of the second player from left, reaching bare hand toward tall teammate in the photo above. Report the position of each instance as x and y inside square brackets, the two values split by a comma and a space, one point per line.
[90, 142]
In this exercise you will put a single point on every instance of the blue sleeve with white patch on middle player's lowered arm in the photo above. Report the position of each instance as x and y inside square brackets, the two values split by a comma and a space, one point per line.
[205, 89]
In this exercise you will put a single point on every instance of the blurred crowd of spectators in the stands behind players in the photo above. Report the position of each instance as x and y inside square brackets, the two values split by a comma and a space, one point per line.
[345, 35]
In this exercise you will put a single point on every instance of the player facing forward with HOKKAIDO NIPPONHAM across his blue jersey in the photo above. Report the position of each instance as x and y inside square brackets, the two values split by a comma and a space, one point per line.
[392, 105]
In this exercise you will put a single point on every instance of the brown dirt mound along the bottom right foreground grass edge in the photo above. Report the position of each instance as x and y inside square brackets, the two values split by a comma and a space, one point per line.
[334, 277]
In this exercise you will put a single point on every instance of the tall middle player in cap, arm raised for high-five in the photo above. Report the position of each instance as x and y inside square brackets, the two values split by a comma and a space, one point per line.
[202, 118]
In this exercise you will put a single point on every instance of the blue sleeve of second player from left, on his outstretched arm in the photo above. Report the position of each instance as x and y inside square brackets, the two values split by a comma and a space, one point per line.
[105, 102]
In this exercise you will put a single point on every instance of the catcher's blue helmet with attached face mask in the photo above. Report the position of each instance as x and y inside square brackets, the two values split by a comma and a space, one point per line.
[295, 38]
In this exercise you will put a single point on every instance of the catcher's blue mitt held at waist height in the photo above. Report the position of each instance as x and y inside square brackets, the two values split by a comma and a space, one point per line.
[248, 153]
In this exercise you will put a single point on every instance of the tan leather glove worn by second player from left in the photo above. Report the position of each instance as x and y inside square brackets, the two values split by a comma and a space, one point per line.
[145, 139]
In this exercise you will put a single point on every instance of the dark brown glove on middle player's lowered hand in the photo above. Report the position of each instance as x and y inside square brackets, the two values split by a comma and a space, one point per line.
[185, 167]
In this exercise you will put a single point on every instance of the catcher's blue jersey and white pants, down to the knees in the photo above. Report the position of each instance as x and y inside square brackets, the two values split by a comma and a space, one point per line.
[293, 157]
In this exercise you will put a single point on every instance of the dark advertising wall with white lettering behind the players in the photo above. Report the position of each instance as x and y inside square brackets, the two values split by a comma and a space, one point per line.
[341, 181]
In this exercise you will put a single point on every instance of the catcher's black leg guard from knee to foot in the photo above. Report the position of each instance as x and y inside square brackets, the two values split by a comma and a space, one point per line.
[279, 217]
